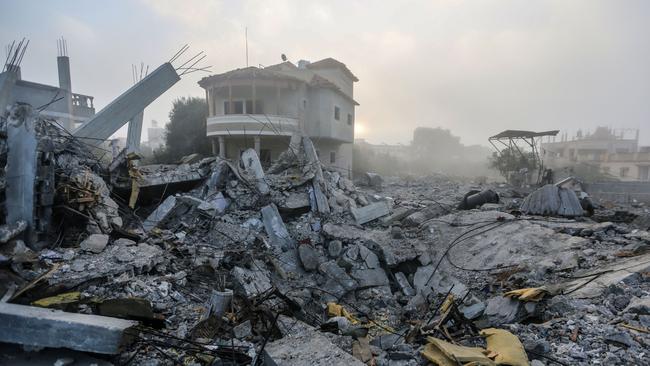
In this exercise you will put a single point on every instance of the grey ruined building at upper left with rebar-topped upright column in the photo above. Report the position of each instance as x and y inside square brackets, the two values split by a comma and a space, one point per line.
[58, 102]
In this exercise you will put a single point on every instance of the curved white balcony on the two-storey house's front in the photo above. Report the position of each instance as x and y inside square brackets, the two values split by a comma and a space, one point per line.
[251, 124]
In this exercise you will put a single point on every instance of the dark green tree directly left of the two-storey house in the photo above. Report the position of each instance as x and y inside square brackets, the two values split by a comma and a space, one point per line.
[185, 133]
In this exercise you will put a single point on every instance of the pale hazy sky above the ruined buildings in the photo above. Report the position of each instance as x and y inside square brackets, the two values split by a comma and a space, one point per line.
[475, 67]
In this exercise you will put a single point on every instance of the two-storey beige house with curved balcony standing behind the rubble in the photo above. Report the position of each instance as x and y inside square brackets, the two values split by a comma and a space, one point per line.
[261, 107]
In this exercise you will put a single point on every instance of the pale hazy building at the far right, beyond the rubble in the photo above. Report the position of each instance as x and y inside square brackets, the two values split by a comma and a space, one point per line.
[612, 152]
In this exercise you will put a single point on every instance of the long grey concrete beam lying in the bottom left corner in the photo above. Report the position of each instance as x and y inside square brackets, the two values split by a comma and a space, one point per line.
[39, 327]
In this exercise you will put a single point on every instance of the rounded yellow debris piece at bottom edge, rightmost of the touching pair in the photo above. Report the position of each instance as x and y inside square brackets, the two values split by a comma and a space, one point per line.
[506, 346]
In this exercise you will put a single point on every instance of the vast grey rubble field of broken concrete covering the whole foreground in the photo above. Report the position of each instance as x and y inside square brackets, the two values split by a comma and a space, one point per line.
[216, 262]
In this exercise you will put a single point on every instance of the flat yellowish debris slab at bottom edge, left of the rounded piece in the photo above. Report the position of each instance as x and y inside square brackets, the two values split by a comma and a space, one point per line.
[447, 354]
